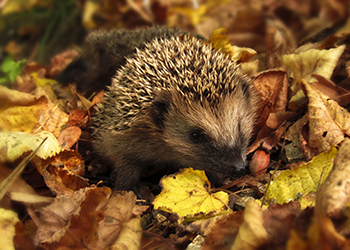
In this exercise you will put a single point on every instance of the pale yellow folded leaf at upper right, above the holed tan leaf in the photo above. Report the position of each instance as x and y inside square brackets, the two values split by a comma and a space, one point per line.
[313, 61]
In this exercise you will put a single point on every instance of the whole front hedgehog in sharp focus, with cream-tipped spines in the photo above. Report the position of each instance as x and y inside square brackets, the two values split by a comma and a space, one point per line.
[175, 104]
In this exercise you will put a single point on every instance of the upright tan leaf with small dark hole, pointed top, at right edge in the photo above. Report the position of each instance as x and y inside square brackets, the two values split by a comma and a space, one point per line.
[327, 120]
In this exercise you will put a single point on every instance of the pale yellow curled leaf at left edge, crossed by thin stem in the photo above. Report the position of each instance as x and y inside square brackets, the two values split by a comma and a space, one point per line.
[14, 144]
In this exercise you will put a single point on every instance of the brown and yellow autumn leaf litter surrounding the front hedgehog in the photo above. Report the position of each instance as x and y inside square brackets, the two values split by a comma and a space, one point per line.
[303, 117]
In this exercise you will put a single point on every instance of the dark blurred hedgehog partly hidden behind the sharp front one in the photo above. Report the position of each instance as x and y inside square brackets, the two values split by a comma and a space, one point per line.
[104, 52]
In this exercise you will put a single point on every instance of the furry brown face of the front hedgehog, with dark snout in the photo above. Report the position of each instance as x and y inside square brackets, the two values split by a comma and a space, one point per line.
[203, 136]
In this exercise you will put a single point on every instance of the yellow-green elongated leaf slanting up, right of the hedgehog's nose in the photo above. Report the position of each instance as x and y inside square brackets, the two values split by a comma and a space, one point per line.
[301, 179]
